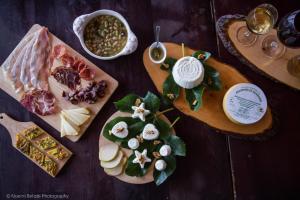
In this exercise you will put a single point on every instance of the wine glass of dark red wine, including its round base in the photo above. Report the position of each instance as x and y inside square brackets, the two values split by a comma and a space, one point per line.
[288, 34]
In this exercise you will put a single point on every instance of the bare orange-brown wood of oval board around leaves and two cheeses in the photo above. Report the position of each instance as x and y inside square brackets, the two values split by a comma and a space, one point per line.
[211, 111]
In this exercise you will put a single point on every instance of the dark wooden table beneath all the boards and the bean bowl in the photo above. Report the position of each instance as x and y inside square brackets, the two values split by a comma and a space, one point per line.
[216, 166]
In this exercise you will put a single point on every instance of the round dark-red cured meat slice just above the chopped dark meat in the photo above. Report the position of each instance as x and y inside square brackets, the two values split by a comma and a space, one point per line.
[66, 76]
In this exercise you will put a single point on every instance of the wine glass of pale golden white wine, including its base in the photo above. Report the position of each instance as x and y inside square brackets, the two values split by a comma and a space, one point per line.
[259, 21]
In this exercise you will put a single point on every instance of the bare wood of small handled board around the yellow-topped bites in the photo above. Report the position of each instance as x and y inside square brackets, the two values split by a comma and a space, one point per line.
[14, 127]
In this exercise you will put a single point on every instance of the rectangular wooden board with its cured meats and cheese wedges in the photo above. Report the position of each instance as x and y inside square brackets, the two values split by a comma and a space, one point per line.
[55, 82]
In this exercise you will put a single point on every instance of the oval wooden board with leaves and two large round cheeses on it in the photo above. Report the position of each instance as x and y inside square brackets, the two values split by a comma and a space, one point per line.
[196, 84]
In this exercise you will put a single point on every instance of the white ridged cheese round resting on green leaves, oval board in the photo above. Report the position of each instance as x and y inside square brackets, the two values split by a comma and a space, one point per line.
[188, 72]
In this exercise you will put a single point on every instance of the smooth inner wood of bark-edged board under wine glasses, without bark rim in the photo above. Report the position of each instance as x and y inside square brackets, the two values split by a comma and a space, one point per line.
[274, 68]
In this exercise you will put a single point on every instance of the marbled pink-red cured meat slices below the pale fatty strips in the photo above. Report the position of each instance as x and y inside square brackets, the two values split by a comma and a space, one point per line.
[39, 101]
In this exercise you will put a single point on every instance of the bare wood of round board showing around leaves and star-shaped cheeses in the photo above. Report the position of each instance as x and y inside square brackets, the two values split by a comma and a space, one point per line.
[123, 177]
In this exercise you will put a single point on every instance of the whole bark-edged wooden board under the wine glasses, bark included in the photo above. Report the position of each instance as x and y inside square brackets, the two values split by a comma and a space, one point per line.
[253, 56]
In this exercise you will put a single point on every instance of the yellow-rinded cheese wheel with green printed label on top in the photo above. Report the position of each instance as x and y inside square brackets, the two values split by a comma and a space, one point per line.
[245, 103]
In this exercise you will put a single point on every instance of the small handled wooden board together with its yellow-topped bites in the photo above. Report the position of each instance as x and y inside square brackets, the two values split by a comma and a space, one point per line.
[37, 145]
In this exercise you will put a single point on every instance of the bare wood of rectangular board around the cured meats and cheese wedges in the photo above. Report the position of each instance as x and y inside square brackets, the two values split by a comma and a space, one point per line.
[57, 88]
